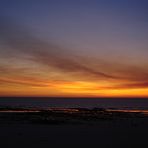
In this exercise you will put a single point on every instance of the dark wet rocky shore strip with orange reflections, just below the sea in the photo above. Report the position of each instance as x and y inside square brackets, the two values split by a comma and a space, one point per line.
[67, 115]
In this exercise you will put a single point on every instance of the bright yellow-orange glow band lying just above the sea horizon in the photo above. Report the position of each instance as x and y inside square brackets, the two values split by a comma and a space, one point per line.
[71, 89]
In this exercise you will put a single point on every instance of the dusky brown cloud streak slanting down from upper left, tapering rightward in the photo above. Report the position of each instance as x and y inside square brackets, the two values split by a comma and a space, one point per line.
[21, 41]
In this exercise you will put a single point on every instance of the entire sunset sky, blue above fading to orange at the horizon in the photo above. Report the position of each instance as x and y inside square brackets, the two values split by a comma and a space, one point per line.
[74, 48]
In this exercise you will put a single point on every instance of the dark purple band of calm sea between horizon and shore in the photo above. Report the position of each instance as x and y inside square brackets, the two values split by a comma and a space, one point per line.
[121, 103]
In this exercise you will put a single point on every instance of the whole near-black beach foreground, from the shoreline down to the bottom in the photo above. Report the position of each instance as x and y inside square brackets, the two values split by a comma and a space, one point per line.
[56, 129]
